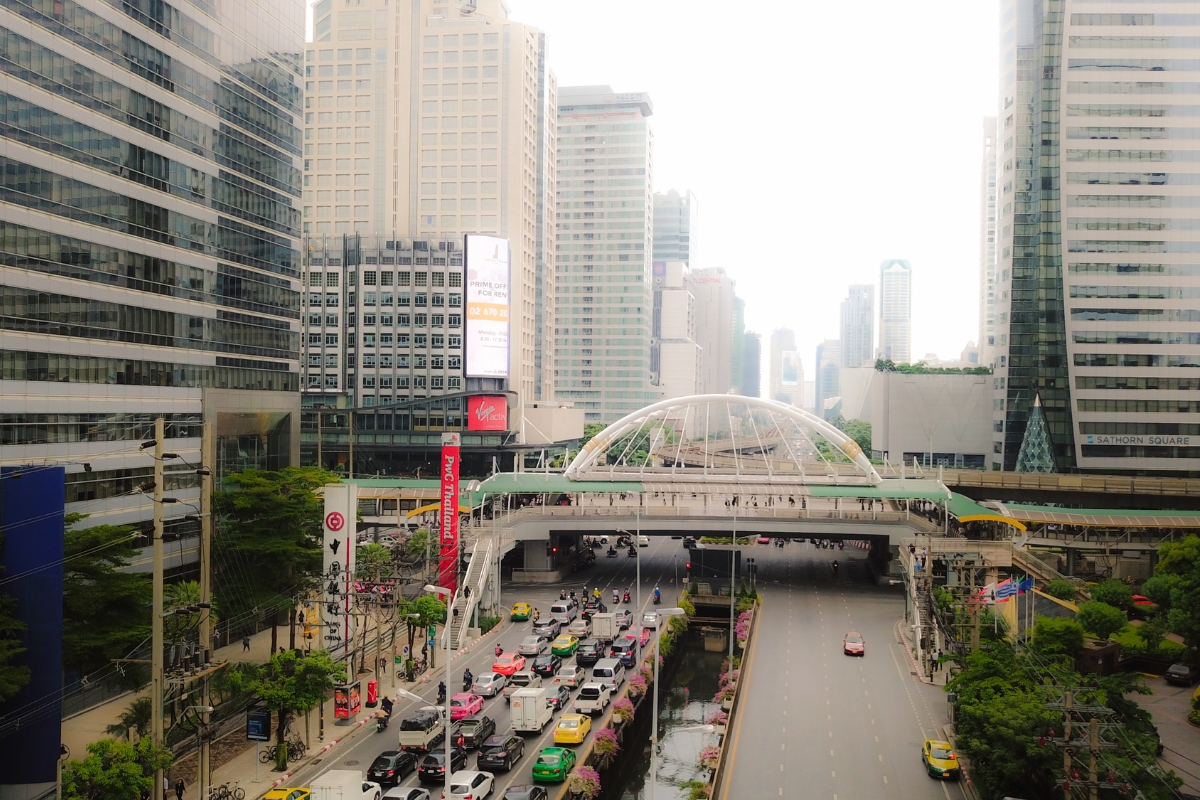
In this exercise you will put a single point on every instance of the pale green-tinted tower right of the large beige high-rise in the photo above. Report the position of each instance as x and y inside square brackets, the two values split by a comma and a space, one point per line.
[604, 304]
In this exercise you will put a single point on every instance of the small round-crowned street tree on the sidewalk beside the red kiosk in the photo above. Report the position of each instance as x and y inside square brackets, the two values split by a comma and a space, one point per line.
[291, 685]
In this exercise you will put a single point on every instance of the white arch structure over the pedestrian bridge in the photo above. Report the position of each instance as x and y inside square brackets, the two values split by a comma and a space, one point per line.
[719, 437]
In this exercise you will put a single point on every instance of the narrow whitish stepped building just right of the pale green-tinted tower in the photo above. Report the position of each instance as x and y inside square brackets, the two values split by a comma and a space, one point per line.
[676, 357]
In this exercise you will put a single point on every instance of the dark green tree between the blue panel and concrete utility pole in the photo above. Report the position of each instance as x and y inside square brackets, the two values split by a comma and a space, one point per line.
[105, 610]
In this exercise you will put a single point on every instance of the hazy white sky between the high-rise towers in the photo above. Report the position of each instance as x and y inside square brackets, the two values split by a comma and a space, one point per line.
[820, 137]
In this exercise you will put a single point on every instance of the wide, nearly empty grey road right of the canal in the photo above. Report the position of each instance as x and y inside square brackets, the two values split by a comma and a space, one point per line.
[830, 726]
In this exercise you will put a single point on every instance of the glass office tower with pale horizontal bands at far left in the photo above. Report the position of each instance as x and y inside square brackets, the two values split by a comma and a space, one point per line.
[151, 232]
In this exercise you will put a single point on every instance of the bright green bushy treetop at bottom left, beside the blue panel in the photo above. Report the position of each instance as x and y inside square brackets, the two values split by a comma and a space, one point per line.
[115, 771]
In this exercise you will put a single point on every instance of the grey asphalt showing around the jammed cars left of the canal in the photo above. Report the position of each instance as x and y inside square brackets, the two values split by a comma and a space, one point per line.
[659, 563]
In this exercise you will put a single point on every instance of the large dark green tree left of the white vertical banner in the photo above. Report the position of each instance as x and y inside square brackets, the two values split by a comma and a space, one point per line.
[271, 538]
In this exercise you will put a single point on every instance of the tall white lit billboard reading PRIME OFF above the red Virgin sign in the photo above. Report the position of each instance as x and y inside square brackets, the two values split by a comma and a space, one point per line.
[488, 306]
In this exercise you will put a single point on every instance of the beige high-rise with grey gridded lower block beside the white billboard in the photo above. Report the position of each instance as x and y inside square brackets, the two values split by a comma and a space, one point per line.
[423, 124]
